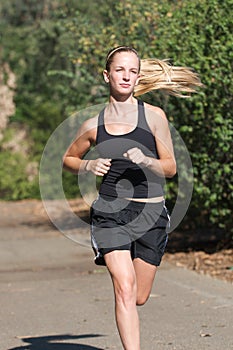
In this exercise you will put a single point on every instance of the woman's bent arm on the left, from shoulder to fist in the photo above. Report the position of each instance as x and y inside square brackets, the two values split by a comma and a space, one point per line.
[72, 160]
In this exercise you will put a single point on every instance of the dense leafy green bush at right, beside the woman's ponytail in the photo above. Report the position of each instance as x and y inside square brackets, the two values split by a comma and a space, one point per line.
[205, 122]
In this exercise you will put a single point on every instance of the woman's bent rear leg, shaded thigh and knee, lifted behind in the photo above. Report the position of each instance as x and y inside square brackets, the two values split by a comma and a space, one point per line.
[145, 274]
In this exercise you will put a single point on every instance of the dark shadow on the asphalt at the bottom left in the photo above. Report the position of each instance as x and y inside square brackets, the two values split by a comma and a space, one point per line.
[52, 342]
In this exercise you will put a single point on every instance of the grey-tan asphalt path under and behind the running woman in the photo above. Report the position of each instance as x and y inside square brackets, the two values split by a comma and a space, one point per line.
[52, 296]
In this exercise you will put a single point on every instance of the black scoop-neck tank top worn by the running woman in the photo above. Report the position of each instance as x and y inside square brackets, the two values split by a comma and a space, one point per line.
[126, 179]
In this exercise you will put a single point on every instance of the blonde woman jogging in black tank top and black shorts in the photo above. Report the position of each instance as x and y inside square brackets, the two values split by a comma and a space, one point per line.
[129, 218]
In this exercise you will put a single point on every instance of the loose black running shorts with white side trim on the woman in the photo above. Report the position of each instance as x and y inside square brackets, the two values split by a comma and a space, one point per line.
[120, 224]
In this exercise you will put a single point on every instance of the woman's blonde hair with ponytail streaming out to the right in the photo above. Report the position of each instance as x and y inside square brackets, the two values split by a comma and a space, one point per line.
[158, 74]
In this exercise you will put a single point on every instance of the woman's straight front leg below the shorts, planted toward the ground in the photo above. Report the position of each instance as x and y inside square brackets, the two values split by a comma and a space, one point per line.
[120, 266]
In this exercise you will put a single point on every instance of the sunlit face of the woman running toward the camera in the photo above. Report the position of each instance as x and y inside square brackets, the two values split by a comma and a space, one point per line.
[123, 74]
